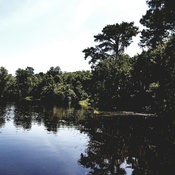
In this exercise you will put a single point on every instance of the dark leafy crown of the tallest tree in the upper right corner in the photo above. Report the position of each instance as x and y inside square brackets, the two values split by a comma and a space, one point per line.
[159, 21]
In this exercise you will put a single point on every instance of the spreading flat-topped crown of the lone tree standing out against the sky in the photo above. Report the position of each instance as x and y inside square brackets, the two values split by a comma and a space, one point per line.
[112, 42]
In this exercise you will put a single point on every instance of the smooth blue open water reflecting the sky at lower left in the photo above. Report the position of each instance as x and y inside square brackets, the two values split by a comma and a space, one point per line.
[29, 148]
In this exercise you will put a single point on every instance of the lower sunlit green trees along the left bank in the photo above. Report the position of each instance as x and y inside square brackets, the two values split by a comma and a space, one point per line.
[54, 86]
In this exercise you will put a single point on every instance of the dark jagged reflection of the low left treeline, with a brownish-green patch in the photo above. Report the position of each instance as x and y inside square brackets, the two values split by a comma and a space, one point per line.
[52, 117]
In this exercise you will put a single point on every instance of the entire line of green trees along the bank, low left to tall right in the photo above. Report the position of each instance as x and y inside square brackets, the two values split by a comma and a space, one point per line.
[117, 81]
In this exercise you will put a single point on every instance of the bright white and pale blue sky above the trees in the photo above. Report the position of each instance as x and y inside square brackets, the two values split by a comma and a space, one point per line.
[49, 33]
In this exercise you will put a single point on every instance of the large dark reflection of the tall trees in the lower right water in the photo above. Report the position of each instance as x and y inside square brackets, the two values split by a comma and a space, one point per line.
[129, 146]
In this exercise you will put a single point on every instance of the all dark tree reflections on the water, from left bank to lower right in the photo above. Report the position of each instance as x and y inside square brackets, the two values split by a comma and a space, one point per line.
[116, 145]
